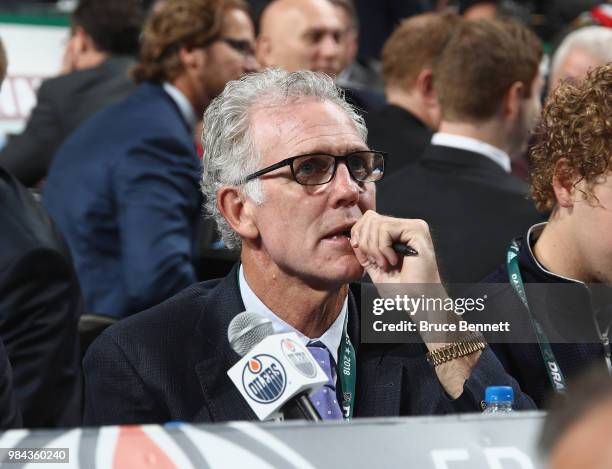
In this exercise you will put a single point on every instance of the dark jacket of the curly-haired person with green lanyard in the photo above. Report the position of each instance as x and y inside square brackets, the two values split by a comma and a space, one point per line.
[560, 312]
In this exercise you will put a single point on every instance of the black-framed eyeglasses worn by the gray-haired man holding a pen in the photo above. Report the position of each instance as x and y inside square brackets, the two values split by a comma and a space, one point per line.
[315, 169]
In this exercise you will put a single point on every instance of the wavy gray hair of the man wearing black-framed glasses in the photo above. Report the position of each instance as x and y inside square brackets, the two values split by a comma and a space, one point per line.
[230, 154]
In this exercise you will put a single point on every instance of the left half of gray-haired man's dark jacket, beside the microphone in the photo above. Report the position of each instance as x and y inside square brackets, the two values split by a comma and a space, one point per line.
[174, 359]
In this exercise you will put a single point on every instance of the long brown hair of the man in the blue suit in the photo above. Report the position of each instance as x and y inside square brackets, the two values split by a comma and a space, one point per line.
[178, 23]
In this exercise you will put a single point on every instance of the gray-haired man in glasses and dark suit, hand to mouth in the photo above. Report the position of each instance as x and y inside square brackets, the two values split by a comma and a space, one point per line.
[306, 227]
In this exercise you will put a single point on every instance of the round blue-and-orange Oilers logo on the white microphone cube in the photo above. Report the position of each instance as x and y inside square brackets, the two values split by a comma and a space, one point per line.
[264, 379]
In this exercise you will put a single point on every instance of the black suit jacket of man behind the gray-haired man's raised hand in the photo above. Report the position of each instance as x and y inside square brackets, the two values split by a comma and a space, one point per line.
[473, 208]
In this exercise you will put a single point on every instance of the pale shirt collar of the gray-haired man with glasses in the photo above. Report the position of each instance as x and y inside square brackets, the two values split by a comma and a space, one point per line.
[331, 338]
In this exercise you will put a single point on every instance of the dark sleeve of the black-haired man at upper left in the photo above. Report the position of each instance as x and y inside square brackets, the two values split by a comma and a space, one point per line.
[29, 154]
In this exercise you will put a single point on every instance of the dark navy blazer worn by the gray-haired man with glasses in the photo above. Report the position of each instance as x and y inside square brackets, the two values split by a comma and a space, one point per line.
[170, 363]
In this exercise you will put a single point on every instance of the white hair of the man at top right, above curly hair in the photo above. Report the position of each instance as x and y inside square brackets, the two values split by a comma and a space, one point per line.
[595, 40]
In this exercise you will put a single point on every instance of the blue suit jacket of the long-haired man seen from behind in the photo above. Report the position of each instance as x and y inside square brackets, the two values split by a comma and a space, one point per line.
[124, 190]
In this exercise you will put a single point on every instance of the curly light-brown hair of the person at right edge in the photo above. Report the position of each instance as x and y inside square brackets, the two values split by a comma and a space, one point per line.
[576, 125]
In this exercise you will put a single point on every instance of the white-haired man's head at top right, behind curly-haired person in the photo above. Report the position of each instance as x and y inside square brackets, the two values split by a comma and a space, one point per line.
[580, 51]
